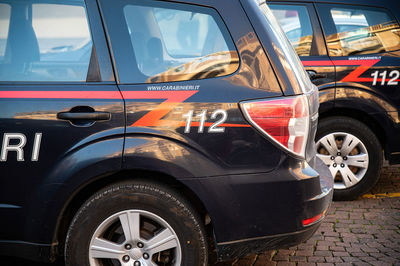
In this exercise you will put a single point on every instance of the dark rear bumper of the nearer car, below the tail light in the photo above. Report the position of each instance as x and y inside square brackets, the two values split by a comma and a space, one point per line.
[257, 212]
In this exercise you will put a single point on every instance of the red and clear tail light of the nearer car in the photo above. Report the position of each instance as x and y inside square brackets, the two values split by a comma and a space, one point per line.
[284, 120]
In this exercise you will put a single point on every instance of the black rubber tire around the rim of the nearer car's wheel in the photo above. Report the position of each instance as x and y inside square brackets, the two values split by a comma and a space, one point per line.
[139, 196]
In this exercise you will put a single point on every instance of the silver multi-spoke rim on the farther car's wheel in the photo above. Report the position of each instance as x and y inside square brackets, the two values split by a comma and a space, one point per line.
[346, 156]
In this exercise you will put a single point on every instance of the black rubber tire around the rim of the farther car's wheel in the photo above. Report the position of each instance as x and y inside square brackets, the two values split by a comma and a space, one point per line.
[358, 129]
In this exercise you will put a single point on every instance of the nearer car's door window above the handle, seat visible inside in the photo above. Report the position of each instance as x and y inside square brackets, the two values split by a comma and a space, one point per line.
[45, 42]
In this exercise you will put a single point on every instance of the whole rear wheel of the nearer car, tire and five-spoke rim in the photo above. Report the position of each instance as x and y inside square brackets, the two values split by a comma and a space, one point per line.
[136, 221]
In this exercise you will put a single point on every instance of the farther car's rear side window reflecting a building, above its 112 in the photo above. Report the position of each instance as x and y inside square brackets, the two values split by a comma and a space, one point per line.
[360, 30]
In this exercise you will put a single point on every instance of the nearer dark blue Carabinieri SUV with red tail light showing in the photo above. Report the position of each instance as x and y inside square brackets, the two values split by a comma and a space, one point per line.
[144, 132]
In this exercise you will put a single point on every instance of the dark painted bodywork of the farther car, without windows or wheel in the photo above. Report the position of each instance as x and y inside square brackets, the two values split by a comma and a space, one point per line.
[376, 106]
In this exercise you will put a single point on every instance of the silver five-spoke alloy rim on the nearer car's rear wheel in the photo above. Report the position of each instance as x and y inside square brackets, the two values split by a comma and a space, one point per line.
[134, 238]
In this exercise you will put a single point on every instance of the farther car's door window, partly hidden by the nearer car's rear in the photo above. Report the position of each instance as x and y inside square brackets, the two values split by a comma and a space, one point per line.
[295, 22]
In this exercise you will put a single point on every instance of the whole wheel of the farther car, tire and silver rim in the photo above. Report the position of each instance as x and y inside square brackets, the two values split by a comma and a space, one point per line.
[353, 154]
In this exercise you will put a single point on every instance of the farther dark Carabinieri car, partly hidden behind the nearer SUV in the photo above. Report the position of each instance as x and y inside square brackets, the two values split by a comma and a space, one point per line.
[351, 50]
